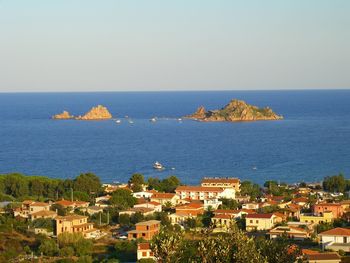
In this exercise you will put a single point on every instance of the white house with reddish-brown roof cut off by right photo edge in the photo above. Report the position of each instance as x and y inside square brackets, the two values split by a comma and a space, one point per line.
[336, 239]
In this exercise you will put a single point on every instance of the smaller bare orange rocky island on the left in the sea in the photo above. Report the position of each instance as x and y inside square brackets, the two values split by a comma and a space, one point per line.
[96, 113]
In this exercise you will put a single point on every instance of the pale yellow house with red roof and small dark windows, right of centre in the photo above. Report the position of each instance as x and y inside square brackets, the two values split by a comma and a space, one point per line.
[261, 221]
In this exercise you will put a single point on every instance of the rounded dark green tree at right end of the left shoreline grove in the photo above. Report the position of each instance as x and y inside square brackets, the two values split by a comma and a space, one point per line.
[88, 183]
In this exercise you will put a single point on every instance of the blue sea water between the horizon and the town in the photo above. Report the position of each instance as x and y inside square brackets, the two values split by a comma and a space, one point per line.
[312, 141]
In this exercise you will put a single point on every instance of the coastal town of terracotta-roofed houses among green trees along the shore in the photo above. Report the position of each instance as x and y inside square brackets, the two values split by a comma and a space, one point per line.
[311, 219]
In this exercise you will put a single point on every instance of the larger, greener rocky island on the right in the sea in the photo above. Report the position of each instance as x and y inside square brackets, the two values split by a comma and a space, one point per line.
[236, 110]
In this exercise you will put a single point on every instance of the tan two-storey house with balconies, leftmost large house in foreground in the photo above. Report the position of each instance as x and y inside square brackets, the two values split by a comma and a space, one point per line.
[73, 224]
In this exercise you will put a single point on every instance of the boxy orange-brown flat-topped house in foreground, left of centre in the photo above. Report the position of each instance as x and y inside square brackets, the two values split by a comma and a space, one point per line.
[145, 230]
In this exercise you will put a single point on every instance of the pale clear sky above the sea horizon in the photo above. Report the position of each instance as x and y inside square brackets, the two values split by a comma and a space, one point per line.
[139, 45]
